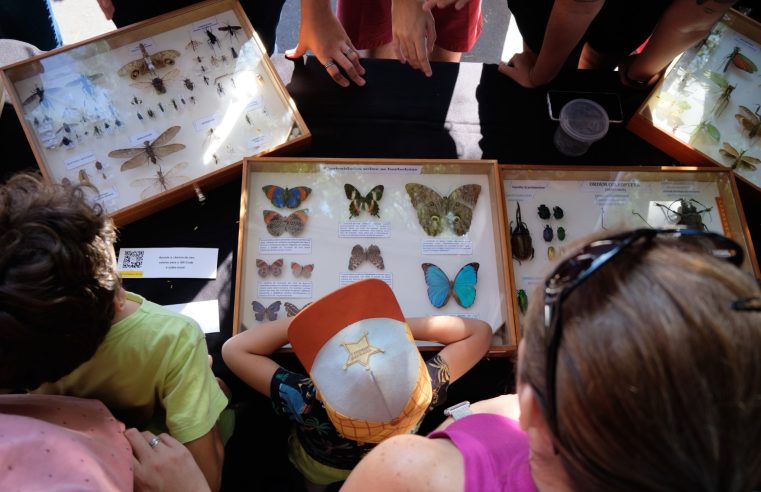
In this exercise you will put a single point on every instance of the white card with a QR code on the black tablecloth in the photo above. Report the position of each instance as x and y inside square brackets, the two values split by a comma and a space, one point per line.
[168, 262]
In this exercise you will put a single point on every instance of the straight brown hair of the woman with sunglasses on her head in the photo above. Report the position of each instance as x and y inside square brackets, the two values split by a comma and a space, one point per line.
[658, 378]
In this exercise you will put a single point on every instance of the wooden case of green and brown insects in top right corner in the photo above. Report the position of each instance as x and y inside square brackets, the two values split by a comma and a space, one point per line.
[707, 108]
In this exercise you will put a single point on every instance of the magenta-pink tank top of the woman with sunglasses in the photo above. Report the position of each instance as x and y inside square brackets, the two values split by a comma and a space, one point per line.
[495, 452]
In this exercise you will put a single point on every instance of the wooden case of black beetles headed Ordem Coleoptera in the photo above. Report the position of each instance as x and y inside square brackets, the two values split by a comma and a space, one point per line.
[548, 208]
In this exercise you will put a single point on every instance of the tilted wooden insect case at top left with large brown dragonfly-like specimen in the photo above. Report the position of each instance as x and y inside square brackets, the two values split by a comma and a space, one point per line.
[151, 113]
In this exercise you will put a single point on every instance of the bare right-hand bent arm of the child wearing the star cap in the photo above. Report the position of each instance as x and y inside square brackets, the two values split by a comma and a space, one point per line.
[466, 340]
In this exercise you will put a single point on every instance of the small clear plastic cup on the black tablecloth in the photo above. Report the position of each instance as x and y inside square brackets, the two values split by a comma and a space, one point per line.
[582, 122]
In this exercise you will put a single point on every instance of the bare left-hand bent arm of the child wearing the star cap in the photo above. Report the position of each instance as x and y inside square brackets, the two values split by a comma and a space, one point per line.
[247, 354]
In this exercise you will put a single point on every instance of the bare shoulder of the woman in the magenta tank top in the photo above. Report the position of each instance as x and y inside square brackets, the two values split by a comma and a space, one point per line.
[409, 462]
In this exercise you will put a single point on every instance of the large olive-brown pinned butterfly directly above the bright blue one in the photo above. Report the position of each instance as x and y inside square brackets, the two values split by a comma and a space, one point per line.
[434, 210]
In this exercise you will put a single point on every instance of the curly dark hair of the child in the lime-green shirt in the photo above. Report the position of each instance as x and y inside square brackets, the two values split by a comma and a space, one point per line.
[58, 280]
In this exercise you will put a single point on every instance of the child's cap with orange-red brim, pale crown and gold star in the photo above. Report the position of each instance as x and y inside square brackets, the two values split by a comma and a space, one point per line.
[363, 360]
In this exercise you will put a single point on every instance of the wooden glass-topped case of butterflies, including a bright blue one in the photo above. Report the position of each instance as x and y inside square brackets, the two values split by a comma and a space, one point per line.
[430, 229]
